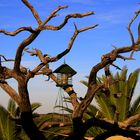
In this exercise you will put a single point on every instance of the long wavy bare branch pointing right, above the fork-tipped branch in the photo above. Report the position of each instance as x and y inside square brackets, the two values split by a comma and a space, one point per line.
[76, 15]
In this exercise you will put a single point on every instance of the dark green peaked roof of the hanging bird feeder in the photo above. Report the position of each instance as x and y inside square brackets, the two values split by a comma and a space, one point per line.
[65, 69]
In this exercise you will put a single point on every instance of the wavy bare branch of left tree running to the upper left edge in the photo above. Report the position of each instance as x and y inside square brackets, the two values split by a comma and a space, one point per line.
[17, 31]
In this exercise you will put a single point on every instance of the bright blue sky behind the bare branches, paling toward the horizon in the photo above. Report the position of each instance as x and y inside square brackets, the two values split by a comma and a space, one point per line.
[112, 16]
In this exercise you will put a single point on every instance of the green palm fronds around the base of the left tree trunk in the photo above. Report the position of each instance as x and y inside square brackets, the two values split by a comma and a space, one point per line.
[9, 129]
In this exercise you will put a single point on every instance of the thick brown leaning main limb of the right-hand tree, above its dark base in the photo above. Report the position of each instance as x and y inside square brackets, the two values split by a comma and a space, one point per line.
[93, 86]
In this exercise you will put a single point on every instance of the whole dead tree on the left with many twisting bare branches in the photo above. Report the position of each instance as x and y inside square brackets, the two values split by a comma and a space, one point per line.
[23, 75]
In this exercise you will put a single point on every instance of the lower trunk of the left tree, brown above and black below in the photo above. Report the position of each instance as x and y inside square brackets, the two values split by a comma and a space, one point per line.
[26, 113]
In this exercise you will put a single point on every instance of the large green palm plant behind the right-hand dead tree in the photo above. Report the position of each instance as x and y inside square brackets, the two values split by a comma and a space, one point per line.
[119, 101]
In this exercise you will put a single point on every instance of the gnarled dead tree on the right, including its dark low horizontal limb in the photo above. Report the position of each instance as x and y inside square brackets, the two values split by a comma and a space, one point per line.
[124, 128]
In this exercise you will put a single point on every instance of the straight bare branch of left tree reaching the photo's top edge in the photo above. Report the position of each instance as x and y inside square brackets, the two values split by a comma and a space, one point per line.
[34, 12]
